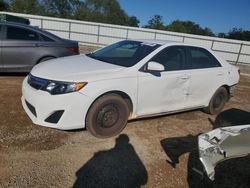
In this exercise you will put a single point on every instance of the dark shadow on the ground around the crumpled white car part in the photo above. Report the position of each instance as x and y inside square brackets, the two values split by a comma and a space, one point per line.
[230, 173]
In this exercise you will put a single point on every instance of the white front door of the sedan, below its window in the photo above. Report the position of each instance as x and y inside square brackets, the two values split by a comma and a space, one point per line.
[169, 92]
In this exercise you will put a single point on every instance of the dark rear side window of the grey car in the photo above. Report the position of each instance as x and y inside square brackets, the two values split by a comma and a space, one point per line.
[16, 33]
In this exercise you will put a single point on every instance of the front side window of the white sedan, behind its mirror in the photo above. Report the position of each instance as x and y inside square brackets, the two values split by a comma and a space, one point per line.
[172, 58]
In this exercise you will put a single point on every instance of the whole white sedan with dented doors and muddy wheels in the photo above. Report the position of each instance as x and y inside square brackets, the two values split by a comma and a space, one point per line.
[127, 80]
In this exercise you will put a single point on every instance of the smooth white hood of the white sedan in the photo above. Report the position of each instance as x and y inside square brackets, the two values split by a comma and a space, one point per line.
[74, 68]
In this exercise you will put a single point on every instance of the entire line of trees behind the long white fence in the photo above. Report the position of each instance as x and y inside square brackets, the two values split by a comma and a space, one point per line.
[110, 11]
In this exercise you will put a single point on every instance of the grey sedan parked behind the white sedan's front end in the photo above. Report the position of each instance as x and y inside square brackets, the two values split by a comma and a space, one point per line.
[23, 46]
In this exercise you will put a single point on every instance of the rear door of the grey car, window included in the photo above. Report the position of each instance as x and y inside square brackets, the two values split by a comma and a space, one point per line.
[21, 49]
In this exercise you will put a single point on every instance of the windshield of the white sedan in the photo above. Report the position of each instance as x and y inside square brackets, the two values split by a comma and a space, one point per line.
[125, 53]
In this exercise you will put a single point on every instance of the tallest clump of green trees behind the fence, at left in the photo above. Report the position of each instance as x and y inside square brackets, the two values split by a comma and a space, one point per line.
[105, 11]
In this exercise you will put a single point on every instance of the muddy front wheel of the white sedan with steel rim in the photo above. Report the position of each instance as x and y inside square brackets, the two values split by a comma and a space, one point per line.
[107, 116]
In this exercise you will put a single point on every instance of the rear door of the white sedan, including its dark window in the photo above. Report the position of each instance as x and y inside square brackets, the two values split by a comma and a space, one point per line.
[207, 75]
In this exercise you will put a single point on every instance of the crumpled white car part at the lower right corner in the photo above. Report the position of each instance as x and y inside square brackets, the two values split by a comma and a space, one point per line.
[221, 144]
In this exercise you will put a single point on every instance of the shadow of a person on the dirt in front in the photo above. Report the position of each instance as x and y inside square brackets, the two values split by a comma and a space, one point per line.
[117, 167]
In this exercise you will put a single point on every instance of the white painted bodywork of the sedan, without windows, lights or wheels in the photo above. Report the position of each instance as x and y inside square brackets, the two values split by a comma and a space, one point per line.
[150, 94]
